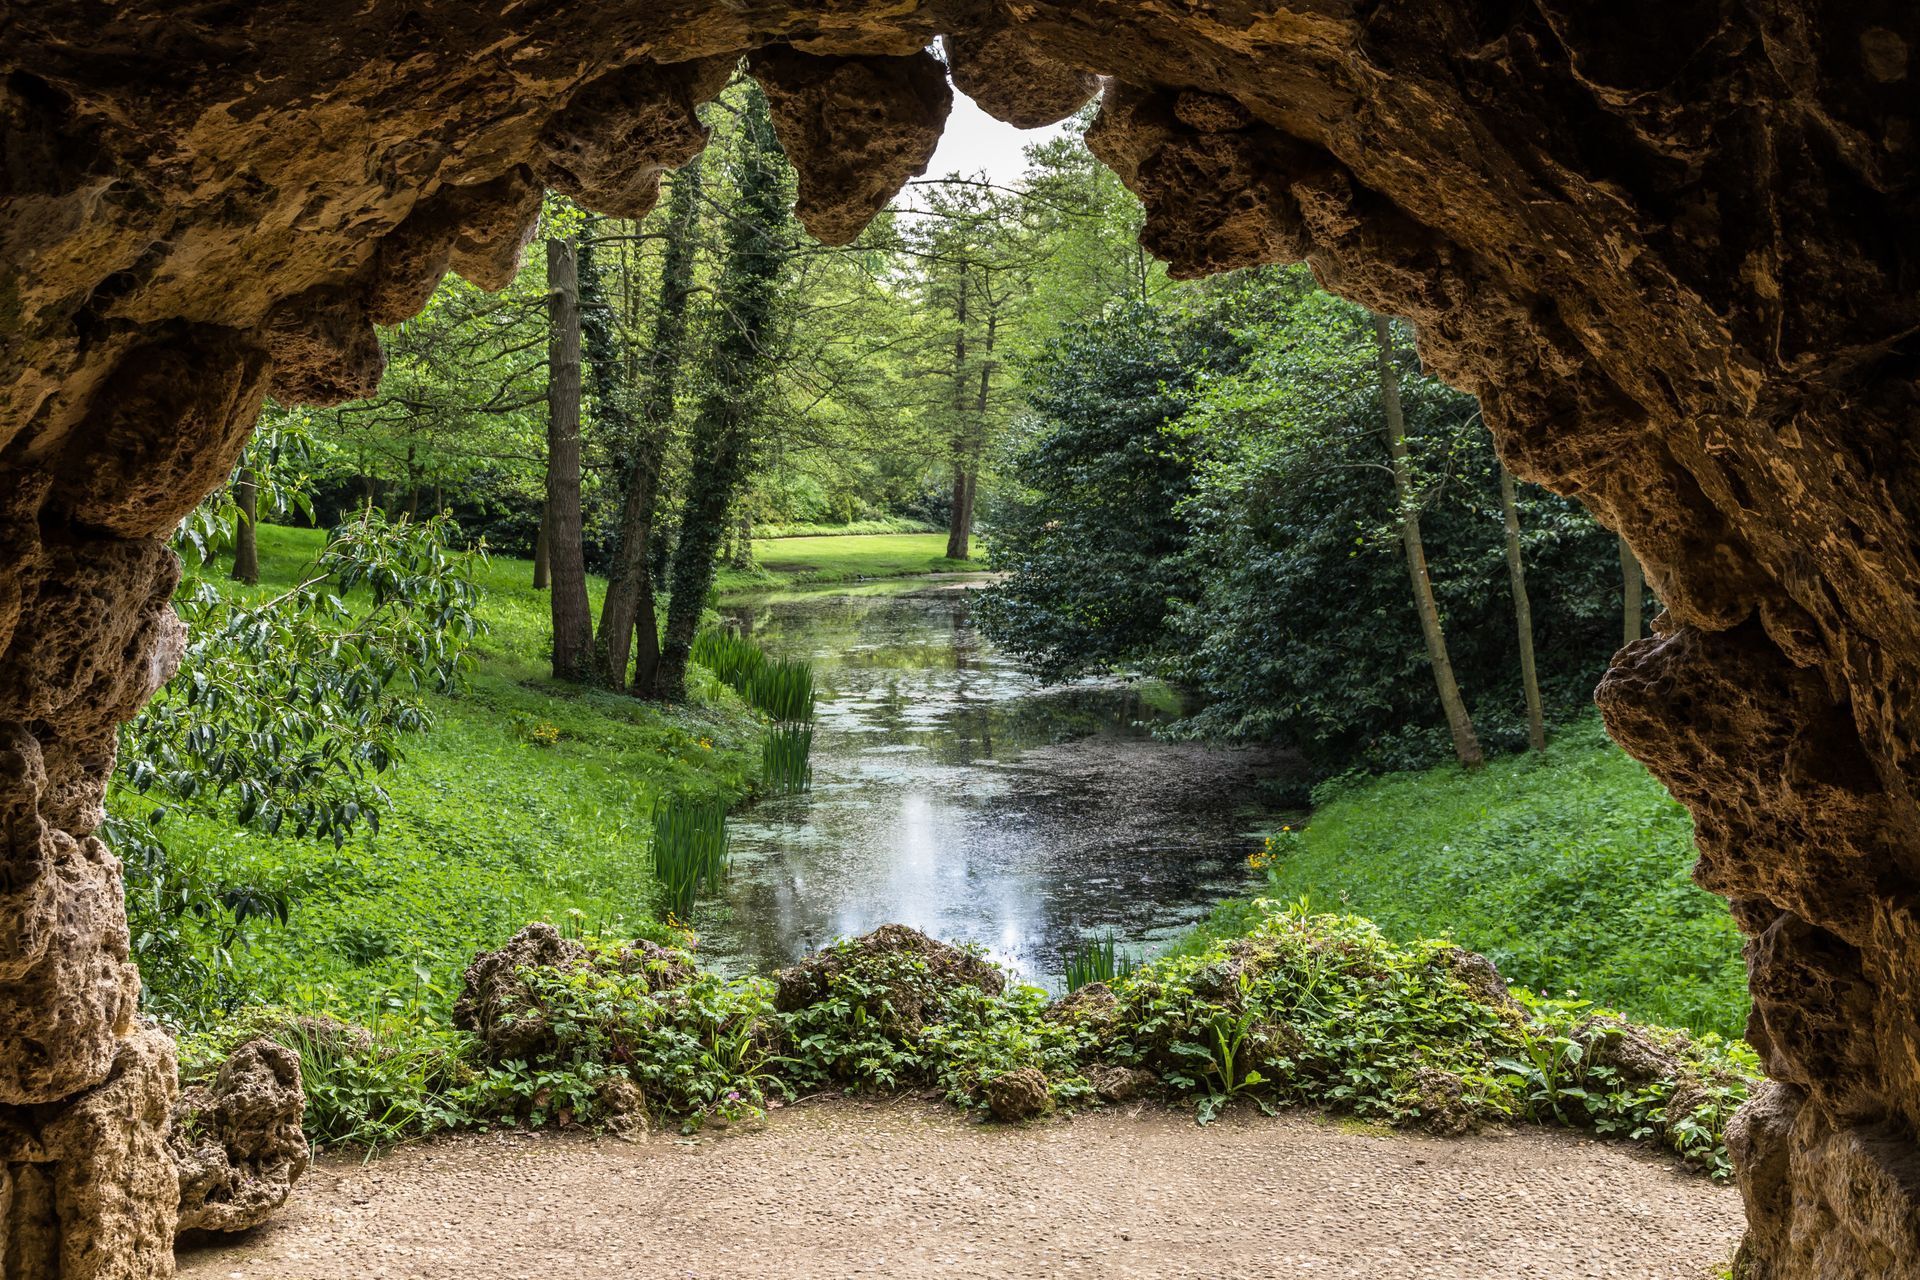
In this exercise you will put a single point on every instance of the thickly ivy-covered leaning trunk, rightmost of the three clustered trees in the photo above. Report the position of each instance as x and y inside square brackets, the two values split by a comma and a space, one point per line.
[723, 429]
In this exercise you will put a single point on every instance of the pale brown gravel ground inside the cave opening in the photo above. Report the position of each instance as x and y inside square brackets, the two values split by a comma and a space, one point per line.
[901, 1189]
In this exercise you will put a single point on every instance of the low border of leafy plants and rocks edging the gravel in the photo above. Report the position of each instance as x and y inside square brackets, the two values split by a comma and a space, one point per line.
[1299, 1010]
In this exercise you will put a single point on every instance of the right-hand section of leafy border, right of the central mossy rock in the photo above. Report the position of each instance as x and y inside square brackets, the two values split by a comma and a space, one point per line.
[1328, 1012]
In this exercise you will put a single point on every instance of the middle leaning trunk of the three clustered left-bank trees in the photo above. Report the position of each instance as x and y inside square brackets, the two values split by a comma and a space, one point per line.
[629, 632]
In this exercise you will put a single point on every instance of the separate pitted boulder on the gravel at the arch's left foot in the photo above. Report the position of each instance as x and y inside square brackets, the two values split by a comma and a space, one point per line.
[237, 1141]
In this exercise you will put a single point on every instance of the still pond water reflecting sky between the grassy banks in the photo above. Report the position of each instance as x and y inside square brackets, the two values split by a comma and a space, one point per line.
[959, 795]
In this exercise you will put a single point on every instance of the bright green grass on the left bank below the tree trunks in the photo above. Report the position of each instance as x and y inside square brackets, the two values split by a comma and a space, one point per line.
[525, 801]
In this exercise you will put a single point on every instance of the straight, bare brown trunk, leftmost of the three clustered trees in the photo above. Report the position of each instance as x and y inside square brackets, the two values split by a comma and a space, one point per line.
[573, 621]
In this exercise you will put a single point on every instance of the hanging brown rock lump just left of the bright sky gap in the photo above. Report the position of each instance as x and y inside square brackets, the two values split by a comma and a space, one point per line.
[855, 130]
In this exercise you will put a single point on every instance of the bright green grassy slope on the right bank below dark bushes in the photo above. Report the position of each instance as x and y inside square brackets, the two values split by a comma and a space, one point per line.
[1570, 870]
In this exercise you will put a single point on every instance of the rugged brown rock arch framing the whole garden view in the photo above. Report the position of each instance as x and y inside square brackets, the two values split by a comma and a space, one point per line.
[1675, 249]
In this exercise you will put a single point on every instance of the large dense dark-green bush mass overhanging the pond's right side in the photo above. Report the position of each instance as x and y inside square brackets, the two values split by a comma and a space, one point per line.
[1207, 498]
